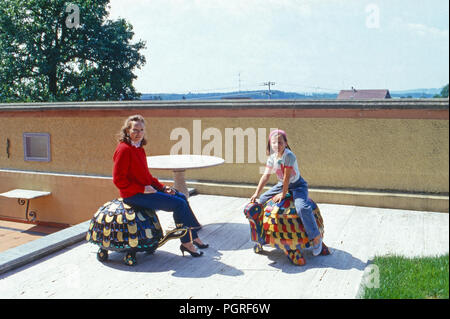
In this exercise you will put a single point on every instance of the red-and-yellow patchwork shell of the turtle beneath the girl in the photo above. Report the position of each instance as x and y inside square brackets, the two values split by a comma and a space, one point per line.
[283, 227]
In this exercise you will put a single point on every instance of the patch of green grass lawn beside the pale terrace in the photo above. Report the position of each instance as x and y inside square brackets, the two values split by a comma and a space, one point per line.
[408, 278]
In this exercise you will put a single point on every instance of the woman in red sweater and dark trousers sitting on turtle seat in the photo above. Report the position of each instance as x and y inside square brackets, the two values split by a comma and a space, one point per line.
[138, 187]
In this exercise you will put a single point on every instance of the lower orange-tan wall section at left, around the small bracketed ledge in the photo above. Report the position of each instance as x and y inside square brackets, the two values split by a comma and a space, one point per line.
[73, 199]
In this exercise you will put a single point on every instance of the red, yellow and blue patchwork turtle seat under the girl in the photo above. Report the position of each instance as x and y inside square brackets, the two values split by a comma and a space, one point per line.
[279, 226]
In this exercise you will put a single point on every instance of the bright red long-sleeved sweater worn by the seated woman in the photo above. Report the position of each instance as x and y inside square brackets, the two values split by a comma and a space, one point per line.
[130, 171]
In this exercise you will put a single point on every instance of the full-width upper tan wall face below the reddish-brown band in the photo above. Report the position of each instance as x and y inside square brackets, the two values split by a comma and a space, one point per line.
[384, 154]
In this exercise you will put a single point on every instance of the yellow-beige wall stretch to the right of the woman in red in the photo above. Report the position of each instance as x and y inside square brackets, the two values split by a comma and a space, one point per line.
[396, 154]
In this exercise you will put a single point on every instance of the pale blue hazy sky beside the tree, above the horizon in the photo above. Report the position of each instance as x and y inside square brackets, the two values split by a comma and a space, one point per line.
[301, 45]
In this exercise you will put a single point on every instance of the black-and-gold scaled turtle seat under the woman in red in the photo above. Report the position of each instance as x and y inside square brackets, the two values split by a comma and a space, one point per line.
[117, 226]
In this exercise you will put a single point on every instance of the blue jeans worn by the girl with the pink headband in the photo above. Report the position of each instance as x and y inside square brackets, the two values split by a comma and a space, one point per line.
[299, 190]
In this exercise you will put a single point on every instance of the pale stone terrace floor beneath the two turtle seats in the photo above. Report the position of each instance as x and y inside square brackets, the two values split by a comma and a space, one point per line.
[230, 268]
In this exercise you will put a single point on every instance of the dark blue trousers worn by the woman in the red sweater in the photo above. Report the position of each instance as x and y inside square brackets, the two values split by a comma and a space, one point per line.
[178, 204]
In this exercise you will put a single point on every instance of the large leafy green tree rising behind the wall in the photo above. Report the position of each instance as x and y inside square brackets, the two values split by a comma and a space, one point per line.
[51, 50]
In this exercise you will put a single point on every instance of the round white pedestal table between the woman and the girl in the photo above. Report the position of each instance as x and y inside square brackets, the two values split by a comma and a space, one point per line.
[178, 164]
